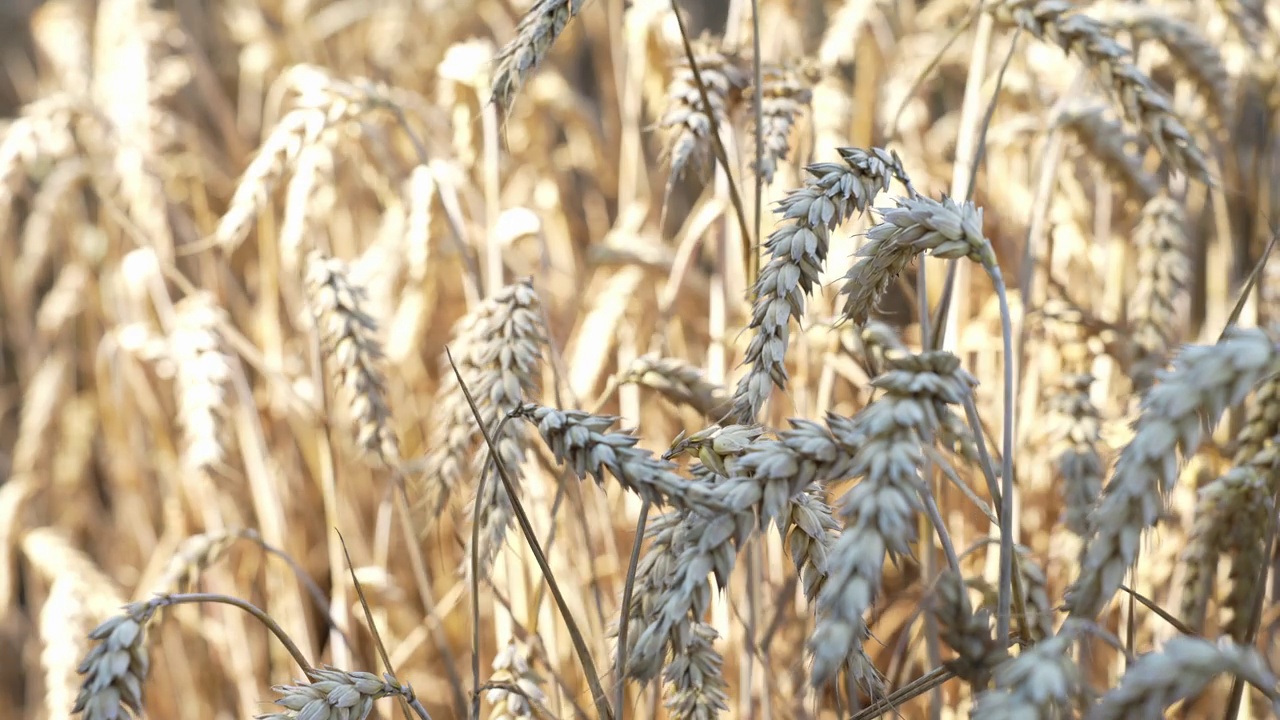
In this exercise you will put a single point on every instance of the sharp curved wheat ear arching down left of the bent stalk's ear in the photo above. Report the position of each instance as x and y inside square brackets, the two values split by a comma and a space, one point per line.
[833, 194]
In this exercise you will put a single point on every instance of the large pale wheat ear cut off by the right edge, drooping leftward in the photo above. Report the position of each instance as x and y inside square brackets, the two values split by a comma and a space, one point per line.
[1204, 384]
